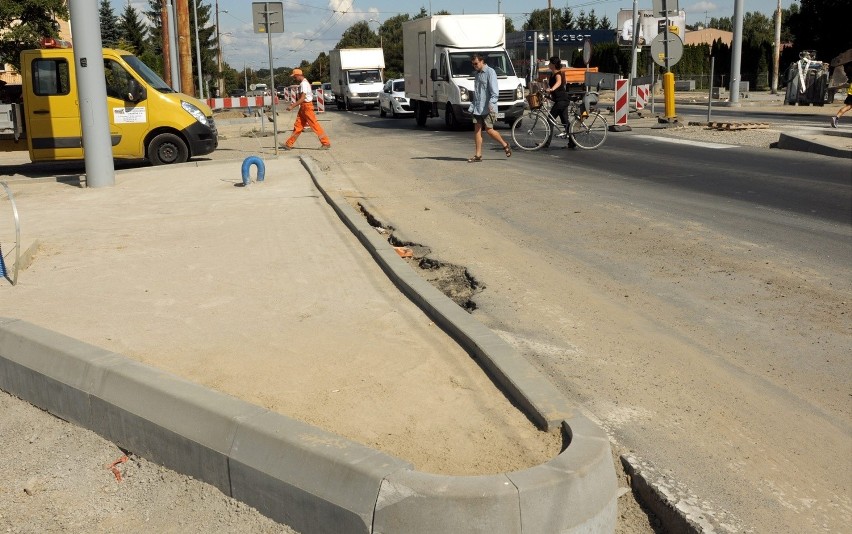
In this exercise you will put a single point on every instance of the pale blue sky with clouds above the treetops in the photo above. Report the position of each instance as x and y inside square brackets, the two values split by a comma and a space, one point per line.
[313, 26]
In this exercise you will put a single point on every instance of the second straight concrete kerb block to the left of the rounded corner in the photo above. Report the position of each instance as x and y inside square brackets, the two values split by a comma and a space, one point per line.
[169, 420]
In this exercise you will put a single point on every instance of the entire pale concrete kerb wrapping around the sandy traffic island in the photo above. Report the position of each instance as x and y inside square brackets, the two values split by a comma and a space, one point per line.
[308, 478]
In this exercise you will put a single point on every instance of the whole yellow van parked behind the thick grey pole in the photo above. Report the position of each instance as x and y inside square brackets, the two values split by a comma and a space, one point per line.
[147, 118]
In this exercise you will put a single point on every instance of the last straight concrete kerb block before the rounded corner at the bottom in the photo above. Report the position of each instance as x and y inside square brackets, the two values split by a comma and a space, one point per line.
[310, 479]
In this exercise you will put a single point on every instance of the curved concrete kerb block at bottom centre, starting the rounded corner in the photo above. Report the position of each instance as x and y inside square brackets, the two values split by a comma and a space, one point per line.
[421, 503]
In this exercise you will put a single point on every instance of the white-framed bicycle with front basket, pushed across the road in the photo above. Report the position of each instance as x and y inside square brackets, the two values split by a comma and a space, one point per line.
[534, 129]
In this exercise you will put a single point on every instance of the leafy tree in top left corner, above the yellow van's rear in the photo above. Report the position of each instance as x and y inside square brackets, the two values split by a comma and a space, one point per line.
[24, 22]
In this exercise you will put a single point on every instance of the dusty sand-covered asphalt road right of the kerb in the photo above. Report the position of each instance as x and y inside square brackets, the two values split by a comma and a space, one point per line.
[694, 299]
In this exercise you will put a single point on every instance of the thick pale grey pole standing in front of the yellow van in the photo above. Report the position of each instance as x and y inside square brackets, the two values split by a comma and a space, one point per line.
[91, 85]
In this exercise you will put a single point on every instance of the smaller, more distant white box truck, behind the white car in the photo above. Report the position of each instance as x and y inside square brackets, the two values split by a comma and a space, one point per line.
[356, 76]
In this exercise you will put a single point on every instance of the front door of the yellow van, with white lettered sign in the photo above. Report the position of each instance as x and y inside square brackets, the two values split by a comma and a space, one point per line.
[128, 120]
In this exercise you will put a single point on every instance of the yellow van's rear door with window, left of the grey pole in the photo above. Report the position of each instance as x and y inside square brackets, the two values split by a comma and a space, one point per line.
[52, 110]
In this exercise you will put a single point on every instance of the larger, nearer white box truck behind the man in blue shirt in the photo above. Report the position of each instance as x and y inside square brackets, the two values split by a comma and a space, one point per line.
[438, 74]
